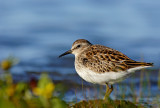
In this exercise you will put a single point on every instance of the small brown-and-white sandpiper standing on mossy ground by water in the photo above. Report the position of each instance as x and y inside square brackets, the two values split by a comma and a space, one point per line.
[99, 64]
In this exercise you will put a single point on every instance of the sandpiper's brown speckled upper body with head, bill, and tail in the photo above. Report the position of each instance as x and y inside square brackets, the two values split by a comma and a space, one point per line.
[101, 59]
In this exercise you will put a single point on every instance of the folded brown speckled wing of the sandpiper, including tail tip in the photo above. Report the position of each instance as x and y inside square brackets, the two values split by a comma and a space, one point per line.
[104, 59]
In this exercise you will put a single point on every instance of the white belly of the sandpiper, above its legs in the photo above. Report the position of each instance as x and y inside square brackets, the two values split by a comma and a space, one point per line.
[101, 78]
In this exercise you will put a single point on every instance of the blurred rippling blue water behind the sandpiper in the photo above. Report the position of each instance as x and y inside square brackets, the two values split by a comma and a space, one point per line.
[37, 32]
